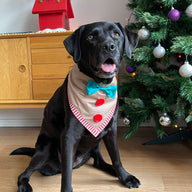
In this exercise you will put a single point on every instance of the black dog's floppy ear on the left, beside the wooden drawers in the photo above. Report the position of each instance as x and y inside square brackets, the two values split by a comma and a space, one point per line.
[72, 44]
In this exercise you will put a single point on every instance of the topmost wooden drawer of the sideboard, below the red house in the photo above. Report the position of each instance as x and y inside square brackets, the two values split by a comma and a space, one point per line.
[47, 42]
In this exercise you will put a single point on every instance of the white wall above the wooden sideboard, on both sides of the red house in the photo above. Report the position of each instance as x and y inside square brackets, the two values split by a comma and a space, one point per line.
[16, 15]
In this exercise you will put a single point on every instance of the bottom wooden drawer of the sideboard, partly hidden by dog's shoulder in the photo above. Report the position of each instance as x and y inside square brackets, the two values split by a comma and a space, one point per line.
[44, 89]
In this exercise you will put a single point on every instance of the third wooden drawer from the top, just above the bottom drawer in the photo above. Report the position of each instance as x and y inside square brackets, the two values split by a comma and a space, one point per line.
[50, 71]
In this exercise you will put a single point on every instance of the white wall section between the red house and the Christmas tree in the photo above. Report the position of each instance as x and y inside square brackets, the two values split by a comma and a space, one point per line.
[87, 11]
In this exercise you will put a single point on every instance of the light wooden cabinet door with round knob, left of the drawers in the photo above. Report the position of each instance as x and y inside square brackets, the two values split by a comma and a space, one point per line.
[14, 69]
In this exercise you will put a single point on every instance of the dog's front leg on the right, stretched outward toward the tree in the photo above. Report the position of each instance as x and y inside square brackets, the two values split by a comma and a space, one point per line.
[127, 179]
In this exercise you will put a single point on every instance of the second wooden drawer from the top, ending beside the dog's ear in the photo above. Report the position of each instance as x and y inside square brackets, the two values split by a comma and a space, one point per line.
[53, 55]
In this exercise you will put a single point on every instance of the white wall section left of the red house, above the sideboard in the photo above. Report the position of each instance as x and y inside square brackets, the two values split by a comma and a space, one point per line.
[16, 16]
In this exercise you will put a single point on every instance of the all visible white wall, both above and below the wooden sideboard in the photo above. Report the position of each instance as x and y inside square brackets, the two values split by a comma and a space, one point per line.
[16, 16]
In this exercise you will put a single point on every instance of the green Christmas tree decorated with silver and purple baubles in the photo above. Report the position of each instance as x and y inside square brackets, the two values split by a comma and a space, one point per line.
[157, 81]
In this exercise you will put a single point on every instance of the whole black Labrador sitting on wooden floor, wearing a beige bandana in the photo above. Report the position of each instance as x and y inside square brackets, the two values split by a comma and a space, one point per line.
[65, 142]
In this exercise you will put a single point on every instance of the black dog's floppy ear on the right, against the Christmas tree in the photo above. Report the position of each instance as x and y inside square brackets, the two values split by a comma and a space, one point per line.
[131, 40]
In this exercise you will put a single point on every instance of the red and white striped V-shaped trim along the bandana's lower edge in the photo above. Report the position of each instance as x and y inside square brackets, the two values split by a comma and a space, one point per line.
[94, 131]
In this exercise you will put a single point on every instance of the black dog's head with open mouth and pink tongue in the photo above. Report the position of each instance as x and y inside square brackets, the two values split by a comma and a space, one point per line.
[98, 49]
